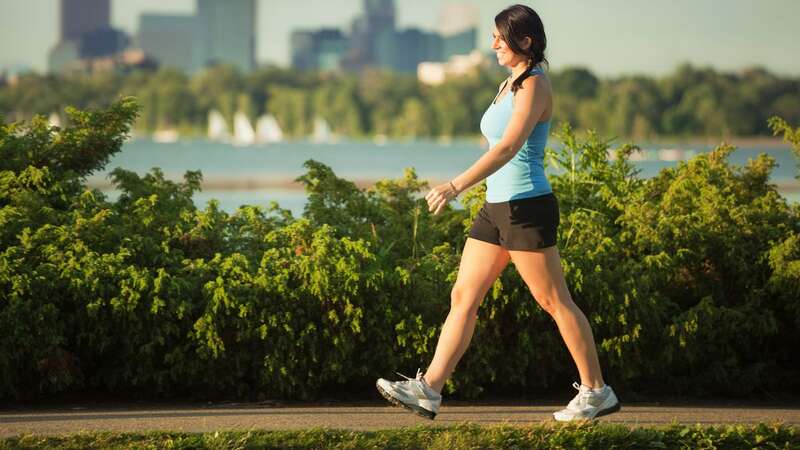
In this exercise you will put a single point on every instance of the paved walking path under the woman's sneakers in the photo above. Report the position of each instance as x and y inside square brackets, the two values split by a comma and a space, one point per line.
[364, 416]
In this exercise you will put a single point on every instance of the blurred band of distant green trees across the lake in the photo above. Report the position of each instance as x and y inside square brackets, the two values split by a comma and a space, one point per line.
[691, 101]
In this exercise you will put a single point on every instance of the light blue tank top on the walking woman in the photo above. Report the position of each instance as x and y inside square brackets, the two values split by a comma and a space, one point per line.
[523, 176]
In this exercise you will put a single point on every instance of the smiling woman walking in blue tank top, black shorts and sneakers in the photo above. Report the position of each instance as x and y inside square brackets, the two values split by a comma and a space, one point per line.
[517, 223]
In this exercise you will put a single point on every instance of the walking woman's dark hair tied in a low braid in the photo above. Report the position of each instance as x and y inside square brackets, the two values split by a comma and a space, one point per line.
[515, 23]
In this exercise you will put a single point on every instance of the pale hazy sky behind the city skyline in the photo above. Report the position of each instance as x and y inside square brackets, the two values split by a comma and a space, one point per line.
[610, 37]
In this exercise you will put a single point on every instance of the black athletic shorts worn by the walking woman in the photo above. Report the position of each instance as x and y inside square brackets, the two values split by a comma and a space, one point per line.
[523, 224]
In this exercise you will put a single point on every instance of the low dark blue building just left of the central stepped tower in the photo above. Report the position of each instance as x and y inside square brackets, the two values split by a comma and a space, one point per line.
[318, 50]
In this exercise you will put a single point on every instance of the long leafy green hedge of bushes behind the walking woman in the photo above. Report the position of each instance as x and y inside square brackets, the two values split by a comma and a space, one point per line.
[690, 280]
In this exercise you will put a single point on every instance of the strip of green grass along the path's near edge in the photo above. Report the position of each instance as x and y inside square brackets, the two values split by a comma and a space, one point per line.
[591, 435]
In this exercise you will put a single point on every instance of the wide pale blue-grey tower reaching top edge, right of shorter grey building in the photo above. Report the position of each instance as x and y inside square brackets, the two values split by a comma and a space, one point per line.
[225, 33]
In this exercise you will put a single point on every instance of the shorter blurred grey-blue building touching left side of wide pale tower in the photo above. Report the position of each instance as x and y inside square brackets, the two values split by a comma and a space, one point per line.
[168, 39]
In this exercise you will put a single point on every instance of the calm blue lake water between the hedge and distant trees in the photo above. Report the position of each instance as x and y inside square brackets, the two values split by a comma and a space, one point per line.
[259, 174]
